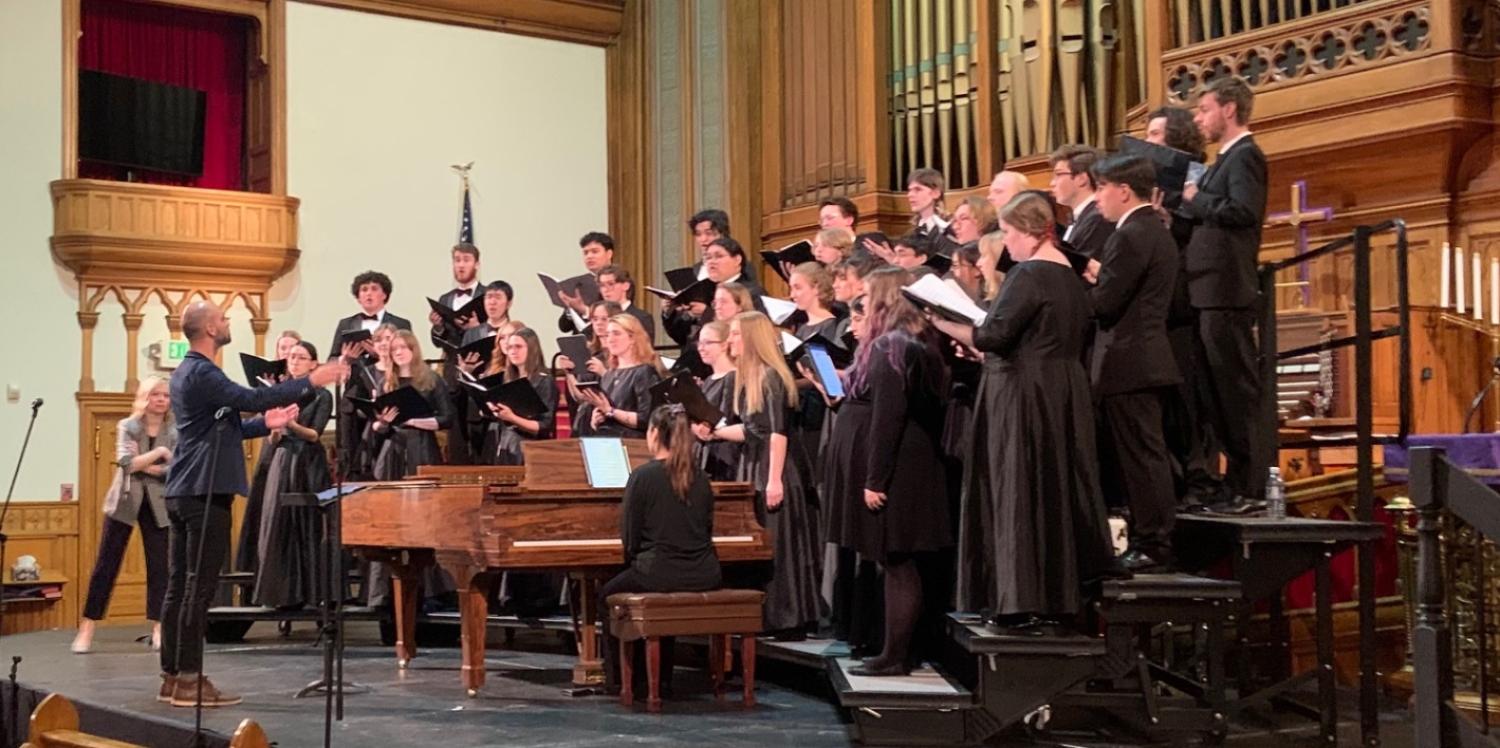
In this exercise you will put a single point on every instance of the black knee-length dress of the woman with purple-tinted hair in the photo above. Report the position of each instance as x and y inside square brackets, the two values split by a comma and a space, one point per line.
[905, 381]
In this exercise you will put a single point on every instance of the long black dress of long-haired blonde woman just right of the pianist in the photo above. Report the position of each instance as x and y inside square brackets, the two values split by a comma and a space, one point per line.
[791, 599]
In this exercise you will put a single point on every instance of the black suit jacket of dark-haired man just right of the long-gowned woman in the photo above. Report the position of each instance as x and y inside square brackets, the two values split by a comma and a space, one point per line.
[1138, 278]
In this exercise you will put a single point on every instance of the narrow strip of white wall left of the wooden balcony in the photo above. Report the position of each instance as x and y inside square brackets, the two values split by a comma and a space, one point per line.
[41, 334]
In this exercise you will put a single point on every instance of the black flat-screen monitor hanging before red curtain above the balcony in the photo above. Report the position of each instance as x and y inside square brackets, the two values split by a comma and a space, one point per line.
[140, 125]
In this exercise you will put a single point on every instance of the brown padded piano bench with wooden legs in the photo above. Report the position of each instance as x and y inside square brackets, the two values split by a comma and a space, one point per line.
[719, 615]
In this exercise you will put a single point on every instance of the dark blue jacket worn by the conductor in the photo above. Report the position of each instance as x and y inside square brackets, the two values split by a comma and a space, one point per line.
[200, 389]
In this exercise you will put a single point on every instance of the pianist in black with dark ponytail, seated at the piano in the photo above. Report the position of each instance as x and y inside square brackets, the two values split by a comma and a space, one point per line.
[667, 527]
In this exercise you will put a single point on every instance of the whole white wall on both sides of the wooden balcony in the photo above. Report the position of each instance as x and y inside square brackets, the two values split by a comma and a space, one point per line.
[377, 112]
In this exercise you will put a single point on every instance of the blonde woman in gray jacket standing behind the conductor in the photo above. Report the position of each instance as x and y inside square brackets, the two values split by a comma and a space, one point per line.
[143, 449]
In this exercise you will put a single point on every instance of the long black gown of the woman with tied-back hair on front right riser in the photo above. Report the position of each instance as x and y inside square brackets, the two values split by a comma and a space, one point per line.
[1034, 527]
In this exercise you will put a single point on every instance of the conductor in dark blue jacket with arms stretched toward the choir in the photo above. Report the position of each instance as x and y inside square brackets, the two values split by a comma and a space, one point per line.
[206, 473]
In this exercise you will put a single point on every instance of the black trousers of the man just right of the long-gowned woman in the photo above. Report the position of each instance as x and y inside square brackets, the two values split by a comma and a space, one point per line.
[1136, 468]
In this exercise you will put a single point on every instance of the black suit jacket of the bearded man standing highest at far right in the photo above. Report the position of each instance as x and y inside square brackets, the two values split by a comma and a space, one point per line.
[1228, 214]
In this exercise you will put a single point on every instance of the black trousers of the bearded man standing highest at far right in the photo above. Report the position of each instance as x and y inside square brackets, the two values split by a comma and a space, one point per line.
[1231, 393]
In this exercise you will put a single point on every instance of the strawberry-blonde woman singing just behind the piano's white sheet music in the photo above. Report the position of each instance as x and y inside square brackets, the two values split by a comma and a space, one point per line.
[622, 404]
